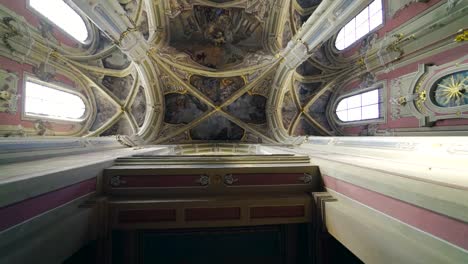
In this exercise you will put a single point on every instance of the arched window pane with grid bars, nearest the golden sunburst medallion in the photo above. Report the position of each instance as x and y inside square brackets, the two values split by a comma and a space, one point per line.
[363, 106]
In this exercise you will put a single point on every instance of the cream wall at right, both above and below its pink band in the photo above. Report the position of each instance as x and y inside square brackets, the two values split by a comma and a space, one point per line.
[428, 173]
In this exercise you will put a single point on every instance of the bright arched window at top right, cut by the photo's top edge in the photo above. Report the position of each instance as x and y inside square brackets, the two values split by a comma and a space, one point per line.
[359, 26]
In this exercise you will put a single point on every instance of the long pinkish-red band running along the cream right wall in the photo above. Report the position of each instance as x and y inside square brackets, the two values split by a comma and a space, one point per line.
[441, 226]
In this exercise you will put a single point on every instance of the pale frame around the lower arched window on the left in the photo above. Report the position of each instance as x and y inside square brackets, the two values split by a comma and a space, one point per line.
[57, 86]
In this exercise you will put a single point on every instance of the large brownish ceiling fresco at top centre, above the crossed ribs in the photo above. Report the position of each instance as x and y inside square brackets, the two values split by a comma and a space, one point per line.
[217, 38]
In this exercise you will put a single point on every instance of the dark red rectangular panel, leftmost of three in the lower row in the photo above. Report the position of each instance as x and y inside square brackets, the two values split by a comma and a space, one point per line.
[147, 216]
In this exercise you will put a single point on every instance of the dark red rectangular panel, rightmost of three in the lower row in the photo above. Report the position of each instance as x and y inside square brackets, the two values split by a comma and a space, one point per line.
[277, 211]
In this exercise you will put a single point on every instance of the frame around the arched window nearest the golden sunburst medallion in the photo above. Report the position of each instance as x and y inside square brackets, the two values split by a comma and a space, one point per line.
[381, 86]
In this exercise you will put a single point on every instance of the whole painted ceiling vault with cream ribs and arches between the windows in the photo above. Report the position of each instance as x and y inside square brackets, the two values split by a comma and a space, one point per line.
[219, 70]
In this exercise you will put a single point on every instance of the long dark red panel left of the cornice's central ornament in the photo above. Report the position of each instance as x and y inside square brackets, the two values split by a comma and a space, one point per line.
[158, 181]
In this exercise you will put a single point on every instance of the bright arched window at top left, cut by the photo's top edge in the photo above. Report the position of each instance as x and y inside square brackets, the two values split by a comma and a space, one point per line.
[63, 16]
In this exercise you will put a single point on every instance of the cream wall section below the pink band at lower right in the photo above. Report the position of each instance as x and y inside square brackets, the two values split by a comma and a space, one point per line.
[377, 238]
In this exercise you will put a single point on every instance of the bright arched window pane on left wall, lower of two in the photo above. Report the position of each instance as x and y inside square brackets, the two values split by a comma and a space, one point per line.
[45, 101]
